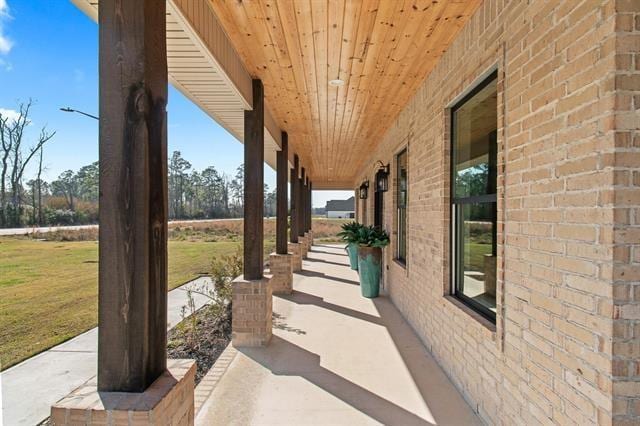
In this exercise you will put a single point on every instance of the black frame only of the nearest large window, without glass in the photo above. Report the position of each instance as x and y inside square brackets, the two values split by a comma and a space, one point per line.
[456, 269]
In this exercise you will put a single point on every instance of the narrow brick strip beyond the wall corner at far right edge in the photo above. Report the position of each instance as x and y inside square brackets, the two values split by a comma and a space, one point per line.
[625, 198]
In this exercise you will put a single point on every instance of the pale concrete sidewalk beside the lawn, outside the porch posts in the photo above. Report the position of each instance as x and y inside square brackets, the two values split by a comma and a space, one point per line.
[30, 388]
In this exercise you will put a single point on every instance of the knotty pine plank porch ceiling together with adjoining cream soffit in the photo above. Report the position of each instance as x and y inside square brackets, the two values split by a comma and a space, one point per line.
[381, 49]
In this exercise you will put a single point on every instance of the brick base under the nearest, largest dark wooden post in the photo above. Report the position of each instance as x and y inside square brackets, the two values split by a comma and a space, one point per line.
[169, 398]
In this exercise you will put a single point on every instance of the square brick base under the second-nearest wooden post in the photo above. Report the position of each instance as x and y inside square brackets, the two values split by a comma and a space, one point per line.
[251, 312]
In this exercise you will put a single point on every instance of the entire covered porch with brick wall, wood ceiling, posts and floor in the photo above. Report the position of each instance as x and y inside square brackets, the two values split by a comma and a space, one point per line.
[498, 130]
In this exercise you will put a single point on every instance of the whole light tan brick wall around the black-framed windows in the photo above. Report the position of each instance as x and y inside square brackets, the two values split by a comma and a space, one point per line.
[566, 345]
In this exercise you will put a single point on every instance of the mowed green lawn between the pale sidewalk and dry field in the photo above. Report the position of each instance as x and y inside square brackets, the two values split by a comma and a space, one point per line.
[48, 289]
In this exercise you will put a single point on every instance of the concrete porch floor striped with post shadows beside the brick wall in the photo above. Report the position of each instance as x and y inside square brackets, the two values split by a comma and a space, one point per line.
[335, 358]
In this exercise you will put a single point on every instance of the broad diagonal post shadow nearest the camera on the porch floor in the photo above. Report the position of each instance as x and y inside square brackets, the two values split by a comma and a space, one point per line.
[285, 358]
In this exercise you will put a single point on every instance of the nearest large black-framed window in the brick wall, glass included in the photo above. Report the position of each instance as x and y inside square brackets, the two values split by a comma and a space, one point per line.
[473, 198]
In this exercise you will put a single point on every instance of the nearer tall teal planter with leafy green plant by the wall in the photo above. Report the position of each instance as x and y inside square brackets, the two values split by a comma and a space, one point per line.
[370, 240]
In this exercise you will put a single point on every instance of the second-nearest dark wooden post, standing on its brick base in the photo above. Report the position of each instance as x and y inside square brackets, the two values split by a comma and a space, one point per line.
[254, 185]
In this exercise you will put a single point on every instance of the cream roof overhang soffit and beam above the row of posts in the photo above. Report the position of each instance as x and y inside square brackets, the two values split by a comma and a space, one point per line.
[203, 66]
